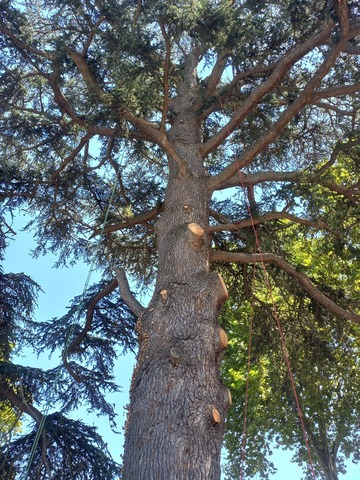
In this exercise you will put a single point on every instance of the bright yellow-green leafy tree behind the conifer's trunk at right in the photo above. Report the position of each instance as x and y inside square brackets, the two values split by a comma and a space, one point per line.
[323, 350]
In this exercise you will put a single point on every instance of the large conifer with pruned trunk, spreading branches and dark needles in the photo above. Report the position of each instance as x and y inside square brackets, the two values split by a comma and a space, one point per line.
[154, 108]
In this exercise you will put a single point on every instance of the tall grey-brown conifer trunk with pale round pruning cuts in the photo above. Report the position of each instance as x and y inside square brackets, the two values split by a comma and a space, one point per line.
[178, 403]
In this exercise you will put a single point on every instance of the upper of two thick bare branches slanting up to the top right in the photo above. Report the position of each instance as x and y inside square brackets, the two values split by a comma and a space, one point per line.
[287, 61]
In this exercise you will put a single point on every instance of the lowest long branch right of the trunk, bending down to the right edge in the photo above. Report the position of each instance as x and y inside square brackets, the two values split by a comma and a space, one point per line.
[305, 282]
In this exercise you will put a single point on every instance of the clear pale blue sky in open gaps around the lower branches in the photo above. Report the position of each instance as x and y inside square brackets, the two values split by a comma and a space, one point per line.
[59, 287]
